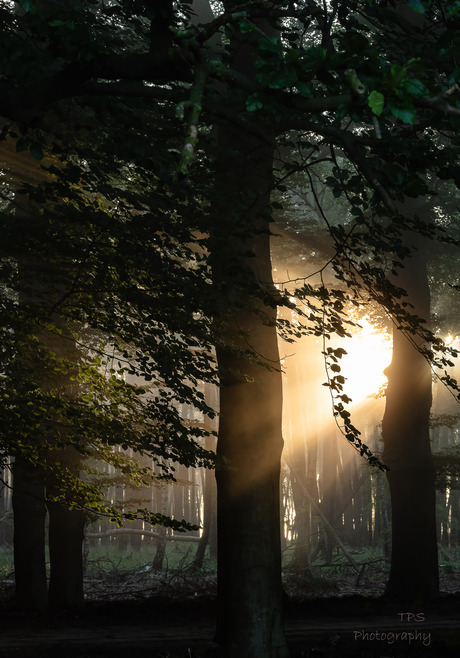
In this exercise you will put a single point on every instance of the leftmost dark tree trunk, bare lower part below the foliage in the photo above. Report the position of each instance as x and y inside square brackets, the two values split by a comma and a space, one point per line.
[29, 536]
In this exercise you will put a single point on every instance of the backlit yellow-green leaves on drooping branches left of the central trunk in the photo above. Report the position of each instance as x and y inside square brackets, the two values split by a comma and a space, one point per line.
[106, 306]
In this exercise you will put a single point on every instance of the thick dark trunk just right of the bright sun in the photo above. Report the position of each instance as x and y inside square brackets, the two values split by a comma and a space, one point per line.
[414, 560]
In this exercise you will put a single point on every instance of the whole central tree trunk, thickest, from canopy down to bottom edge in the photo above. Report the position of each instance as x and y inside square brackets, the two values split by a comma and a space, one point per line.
[249, 608]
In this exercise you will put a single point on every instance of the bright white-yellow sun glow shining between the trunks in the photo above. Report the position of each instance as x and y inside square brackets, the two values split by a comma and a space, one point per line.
[368, 354]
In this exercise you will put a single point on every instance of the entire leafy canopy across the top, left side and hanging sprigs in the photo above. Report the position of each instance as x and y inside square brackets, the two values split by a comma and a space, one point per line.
[122, 218]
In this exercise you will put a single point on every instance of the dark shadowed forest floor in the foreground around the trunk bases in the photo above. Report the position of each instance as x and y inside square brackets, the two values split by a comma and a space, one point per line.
[171, 615]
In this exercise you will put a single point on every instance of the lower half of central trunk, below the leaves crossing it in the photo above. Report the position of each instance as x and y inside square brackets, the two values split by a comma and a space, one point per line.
[249, 620]
